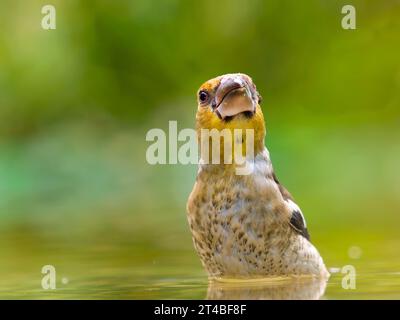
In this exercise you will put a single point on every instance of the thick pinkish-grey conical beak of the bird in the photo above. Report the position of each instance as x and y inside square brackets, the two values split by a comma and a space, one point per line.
[234, 95]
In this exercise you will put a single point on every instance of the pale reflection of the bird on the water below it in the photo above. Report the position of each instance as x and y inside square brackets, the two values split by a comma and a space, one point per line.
[268, 289]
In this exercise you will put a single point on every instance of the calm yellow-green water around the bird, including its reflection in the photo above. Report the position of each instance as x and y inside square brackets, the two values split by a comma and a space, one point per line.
[114, 264]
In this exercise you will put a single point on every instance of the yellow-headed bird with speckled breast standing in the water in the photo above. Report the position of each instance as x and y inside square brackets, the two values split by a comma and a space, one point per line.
[244, 225]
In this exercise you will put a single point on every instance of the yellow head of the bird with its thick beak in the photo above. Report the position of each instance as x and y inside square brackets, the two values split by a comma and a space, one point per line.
[231, 101]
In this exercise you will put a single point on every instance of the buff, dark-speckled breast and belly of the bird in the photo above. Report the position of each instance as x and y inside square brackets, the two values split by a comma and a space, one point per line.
[240, 227]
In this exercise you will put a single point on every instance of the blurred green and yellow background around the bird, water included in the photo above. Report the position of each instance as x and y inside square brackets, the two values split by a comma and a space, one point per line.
[76, 103]
